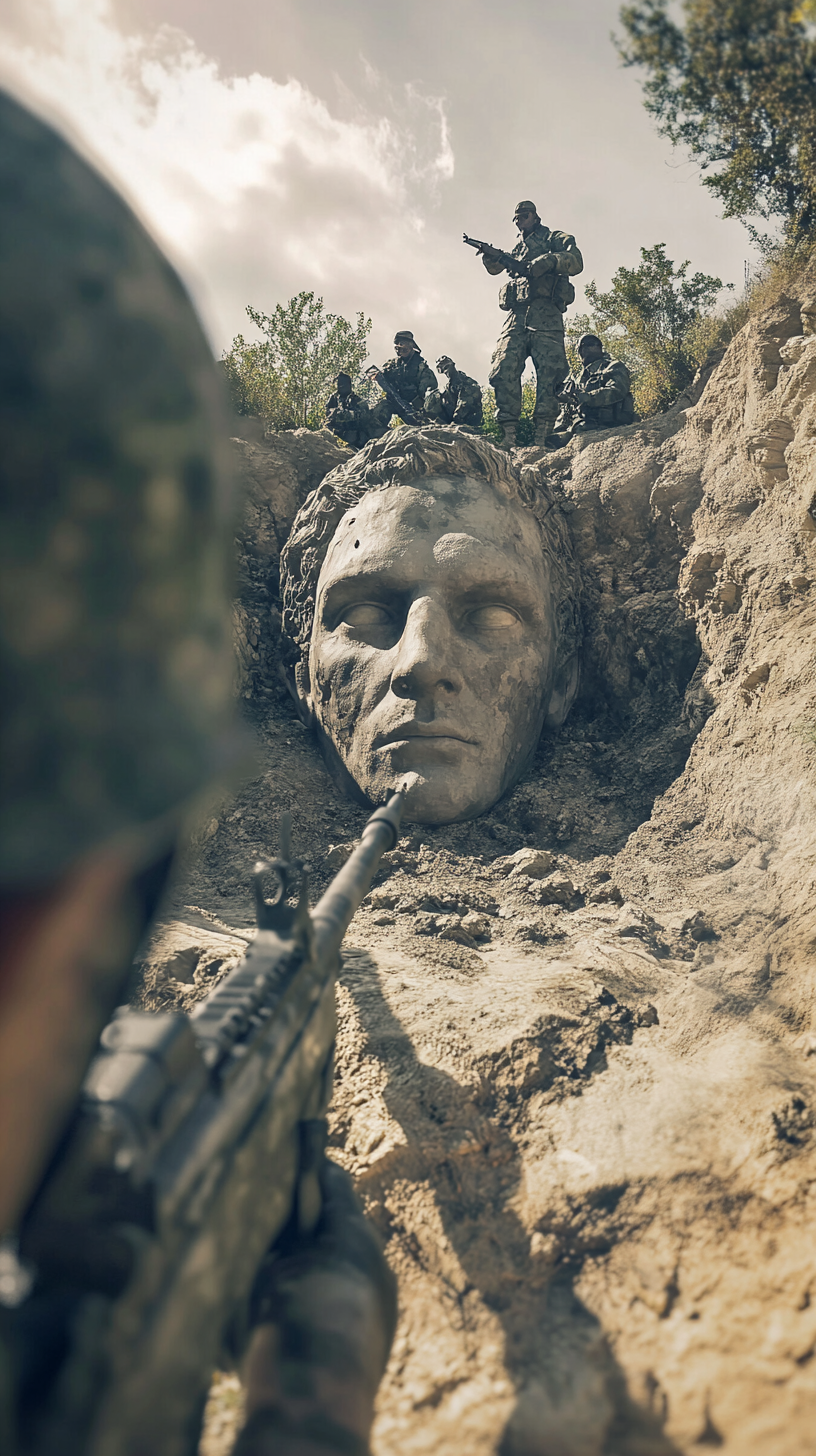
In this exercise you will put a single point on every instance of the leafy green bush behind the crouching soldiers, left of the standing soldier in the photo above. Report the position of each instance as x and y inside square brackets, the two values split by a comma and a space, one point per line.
[288, 376]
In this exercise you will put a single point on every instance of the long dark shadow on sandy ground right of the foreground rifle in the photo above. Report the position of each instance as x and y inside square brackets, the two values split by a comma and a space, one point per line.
[572, 1397]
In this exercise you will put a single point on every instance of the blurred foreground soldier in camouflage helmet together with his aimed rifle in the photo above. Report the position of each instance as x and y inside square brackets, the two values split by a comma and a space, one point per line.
[116, 554]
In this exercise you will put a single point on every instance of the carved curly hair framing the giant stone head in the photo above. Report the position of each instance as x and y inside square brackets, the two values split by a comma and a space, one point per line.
[403, 458]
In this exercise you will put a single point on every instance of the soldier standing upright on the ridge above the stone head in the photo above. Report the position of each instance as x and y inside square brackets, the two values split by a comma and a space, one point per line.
[535, 308]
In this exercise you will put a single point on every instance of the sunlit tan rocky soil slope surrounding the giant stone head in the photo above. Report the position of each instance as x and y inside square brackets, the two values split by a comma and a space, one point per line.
[578, 1055]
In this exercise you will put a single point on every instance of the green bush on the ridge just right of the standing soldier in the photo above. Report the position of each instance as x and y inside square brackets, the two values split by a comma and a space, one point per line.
[655, 320]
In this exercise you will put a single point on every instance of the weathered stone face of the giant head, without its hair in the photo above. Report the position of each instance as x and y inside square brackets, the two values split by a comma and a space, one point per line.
[426, 675]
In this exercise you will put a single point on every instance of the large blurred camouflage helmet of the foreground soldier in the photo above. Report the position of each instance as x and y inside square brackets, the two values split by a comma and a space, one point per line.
[116, 513]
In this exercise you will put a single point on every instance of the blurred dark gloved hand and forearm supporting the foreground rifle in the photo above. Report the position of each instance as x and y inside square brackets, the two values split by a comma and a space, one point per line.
[324, 1313]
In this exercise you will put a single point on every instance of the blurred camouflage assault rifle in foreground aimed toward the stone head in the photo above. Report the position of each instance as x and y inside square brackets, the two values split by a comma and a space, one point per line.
[197, 1141]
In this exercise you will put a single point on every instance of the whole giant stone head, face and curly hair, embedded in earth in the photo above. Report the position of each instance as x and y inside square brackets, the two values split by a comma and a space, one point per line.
[432, 601]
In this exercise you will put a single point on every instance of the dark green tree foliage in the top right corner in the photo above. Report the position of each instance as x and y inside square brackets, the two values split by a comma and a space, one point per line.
[735, 84]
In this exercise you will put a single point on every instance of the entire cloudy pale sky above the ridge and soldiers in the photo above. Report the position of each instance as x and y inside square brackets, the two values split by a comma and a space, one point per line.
[345, 146]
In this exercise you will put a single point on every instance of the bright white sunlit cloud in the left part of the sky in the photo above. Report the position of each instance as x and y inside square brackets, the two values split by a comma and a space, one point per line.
[254, 186]
